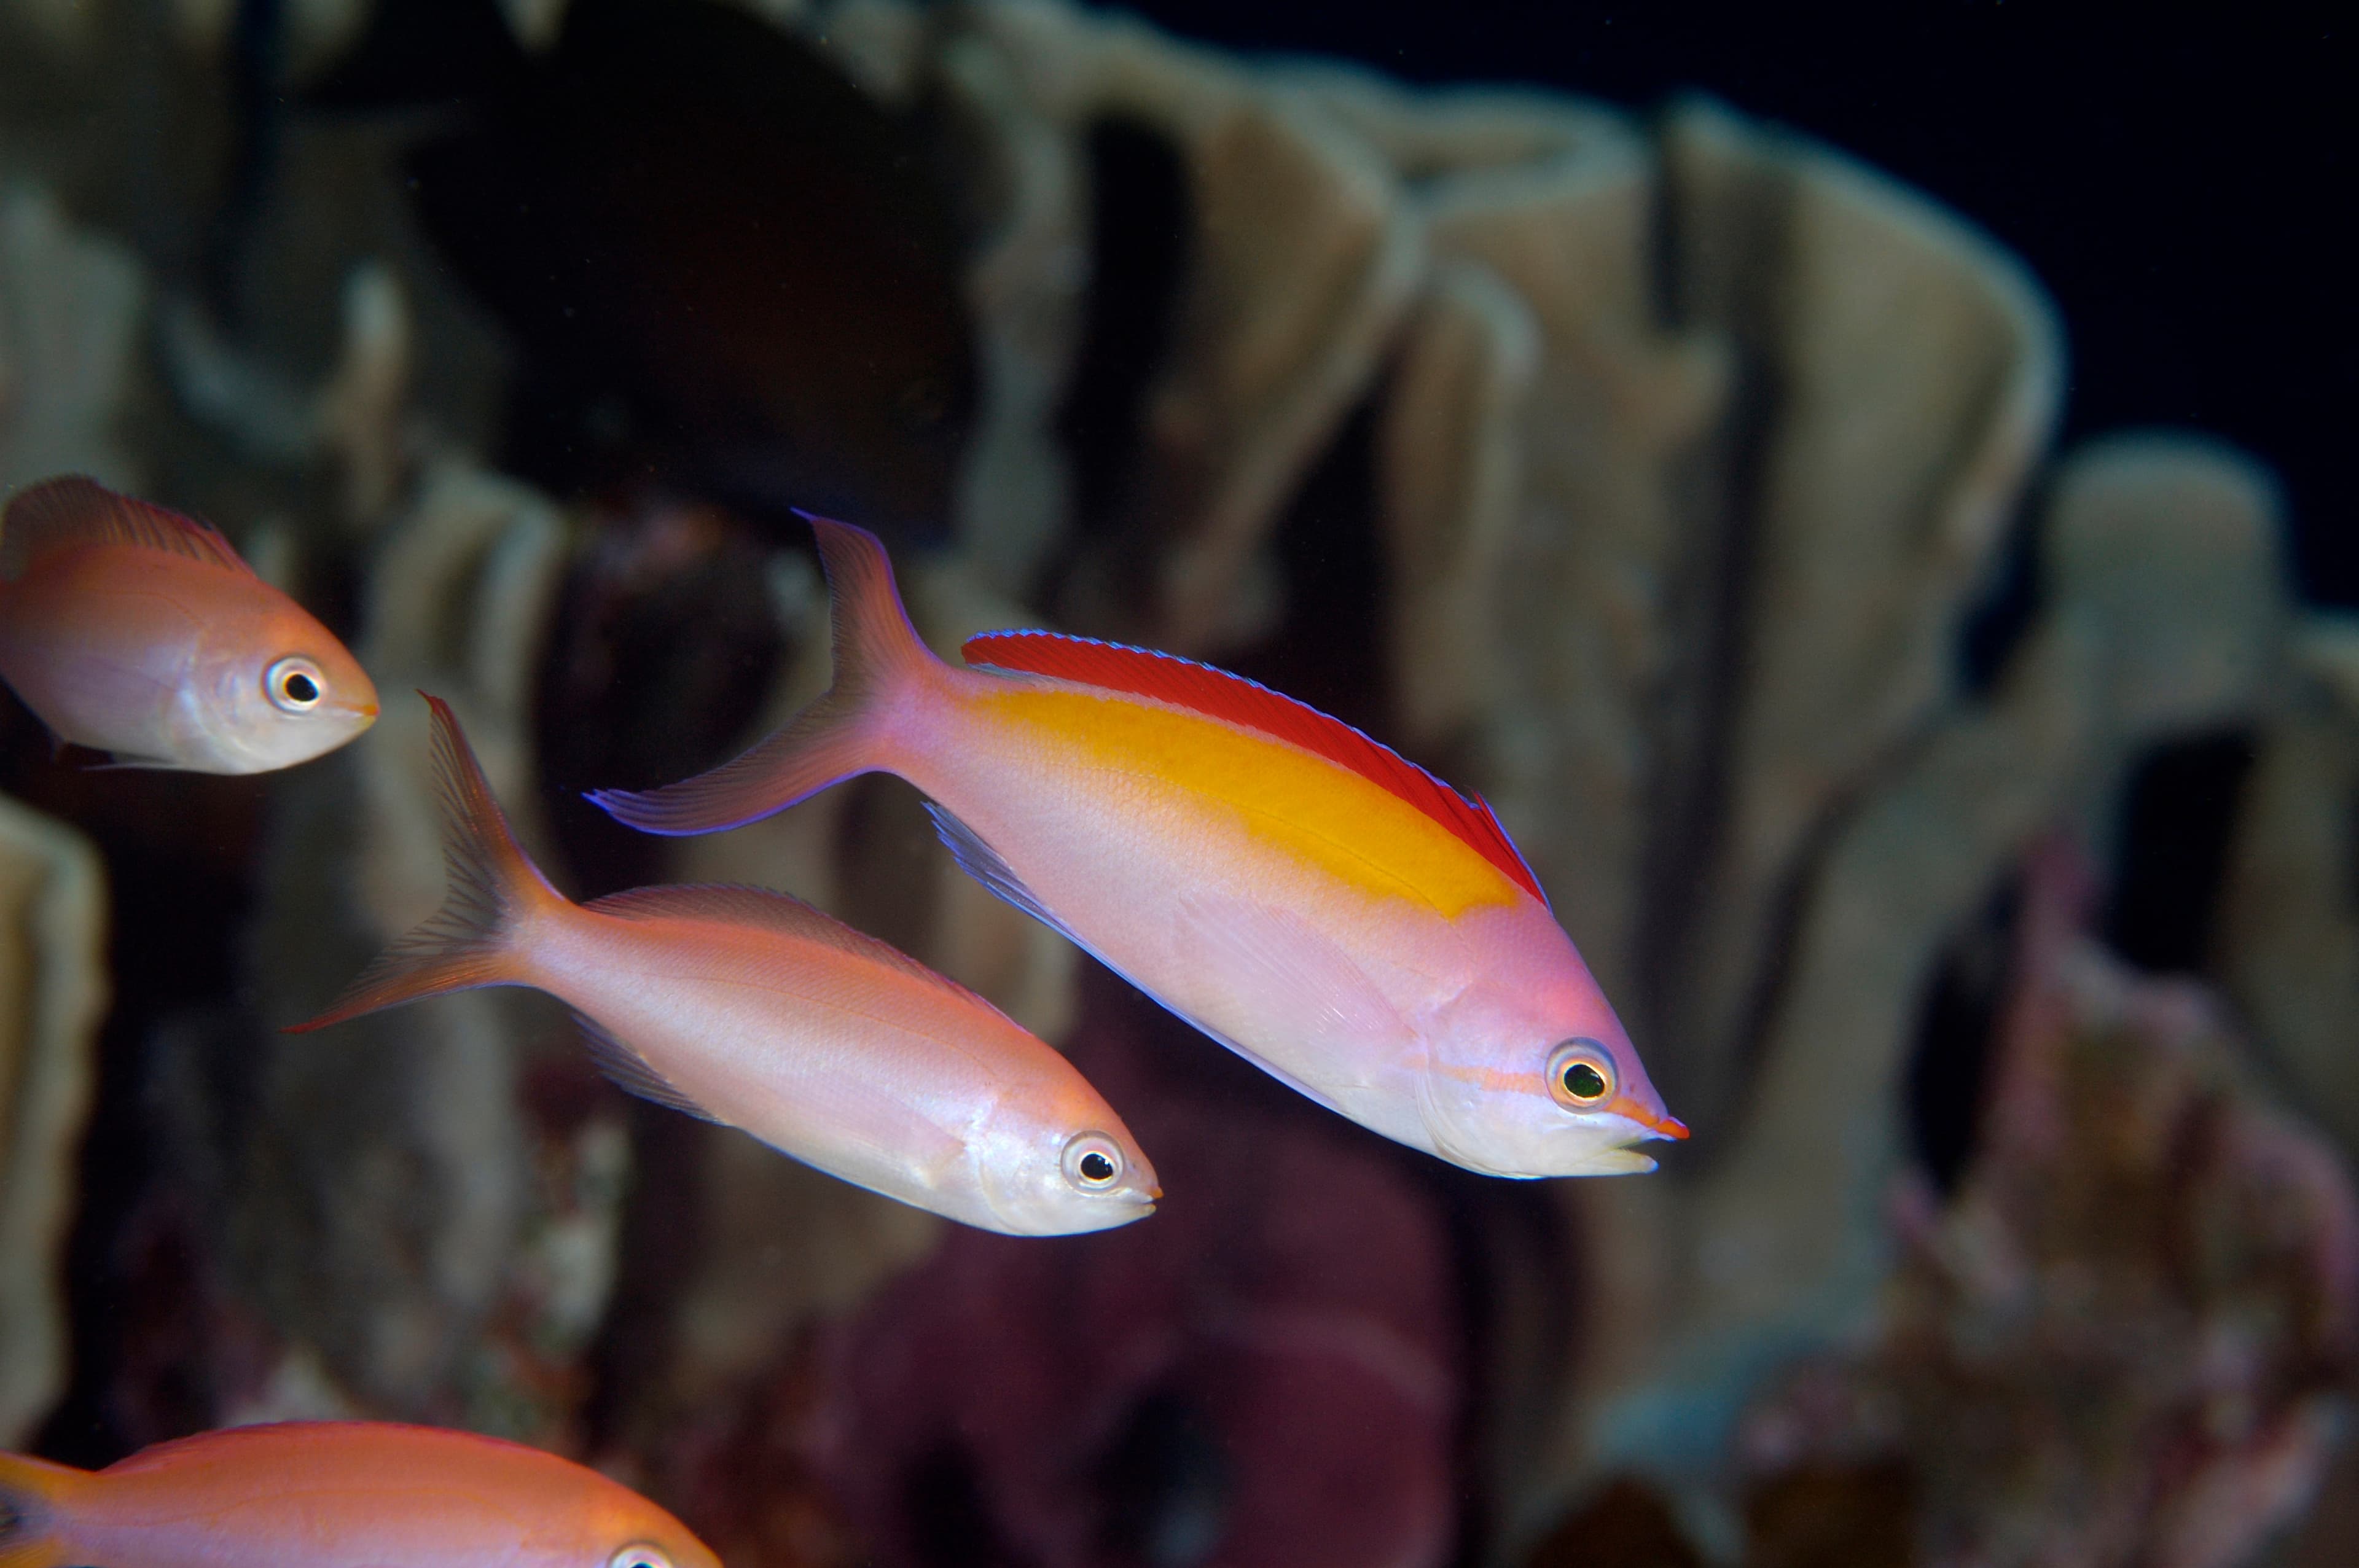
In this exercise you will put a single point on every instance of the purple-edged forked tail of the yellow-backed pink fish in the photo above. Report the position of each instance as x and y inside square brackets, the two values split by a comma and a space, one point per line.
[834, 739]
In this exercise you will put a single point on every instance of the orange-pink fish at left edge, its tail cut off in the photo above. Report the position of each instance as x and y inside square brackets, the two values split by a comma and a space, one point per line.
[140, 633]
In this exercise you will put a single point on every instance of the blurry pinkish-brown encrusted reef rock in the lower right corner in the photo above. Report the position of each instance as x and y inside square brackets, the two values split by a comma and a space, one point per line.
[2127, 1336]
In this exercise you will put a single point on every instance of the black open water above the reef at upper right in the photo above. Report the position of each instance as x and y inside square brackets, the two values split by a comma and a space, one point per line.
[2179, 180]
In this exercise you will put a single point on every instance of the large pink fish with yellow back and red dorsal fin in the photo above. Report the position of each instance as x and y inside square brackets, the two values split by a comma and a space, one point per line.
[1287, 885]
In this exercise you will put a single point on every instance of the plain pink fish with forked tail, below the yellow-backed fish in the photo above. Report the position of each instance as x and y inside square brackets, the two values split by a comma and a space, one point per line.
[754, 1010]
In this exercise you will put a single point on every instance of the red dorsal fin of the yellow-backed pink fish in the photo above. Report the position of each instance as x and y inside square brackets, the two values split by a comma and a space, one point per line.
[1218, 694]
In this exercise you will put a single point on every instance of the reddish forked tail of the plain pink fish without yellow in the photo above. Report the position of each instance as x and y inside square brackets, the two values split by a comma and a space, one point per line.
[492, 888]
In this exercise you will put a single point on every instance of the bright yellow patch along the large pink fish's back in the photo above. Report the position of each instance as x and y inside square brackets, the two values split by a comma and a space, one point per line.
[1282, 796]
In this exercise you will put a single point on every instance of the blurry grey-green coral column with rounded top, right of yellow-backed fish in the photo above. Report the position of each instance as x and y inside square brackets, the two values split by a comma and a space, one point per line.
[1778, 1239]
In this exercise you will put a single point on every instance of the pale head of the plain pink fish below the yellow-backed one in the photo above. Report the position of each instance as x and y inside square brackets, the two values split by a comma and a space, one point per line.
[1063, 1164]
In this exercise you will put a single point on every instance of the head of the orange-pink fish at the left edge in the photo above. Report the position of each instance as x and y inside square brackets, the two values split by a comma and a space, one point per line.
[280, 690]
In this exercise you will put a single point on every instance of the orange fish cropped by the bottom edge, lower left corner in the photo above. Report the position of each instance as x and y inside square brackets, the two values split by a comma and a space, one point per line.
[334, 1496]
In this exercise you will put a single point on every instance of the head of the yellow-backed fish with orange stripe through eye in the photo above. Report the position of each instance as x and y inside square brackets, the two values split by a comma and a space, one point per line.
[1530, 1074]
